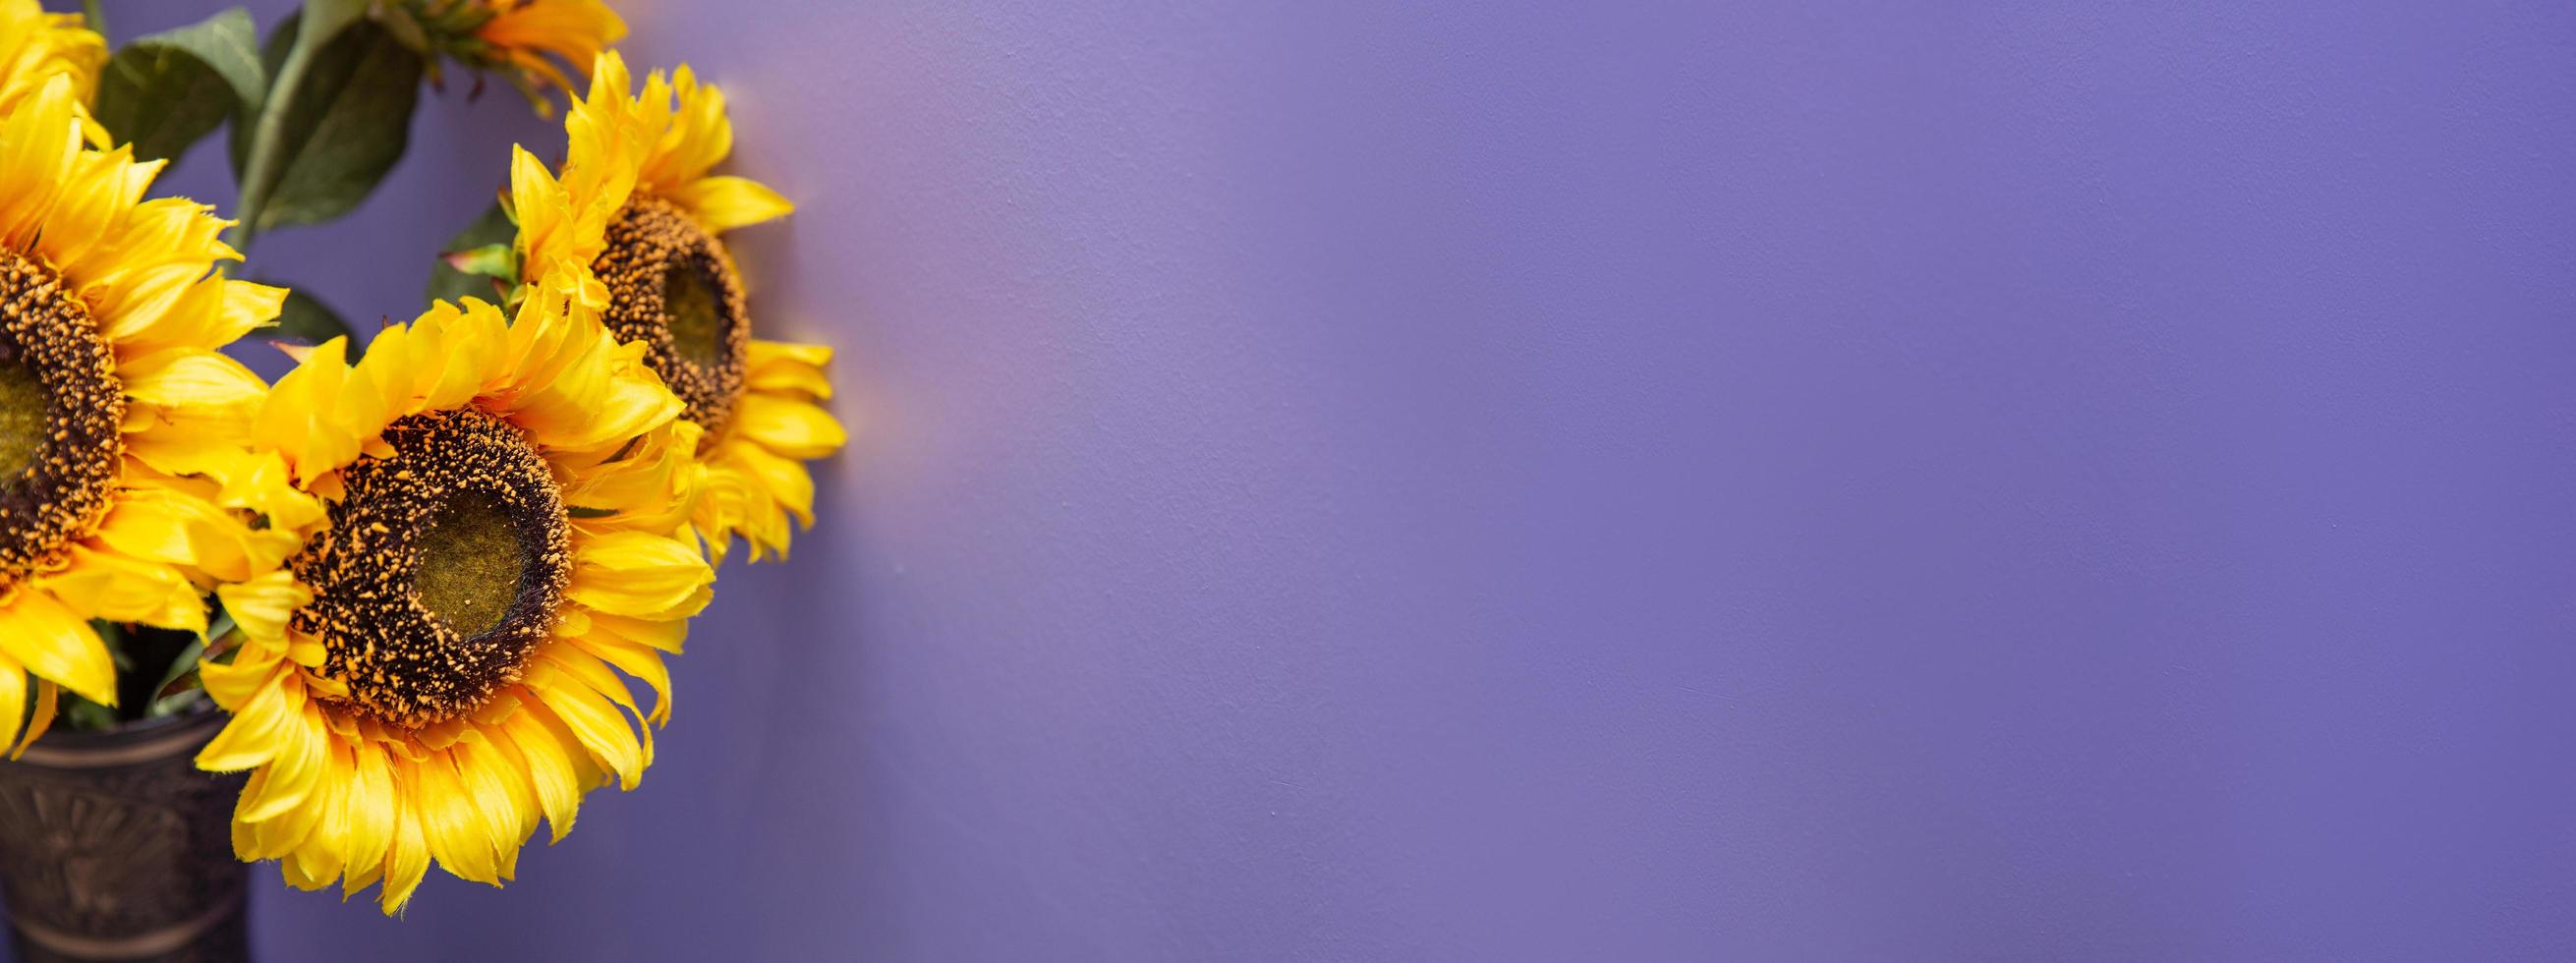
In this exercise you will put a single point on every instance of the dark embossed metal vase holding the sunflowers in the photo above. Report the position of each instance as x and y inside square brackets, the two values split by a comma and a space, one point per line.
[115, 846]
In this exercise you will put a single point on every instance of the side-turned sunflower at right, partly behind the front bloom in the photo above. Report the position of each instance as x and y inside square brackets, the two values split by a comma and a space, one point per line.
[640, 212]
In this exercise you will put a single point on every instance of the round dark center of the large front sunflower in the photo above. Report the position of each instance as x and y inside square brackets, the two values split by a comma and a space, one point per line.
[442, 568]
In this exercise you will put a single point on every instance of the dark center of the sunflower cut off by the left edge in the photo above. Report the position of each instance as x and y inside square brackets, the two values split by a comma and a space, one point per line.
[61, 413]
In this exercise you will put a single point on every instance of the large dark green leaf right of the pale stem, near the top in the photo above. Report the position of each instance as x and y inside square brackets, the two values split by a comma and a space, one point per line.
[344, 130]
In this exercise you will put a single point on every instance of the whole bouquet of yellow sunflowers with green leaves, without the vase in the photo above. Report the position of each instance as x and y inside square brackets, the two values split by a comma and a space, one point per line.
[424, 570]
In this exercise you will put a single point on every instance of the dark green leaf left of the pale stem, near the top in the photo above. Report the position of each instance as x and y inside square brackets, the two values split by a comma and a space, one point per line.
[171, 89]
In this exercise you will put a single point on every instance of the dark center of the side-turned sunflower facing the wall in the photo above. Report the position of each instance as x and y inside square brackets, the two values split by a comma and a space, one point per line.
[674, 290]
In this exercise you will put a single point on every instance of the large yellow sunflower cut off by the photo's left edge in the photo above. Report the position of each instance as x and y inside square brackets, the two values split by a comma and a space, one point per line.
[112, 408]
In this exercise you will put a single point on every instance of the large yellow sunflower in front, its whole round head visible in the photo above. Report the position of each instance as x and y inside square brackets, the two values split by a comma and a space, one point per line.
[491, 534]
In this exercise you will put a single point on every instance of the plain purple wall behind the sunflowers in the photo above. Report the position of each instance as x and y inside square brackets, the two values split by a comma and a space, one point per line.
[1722, 480]
